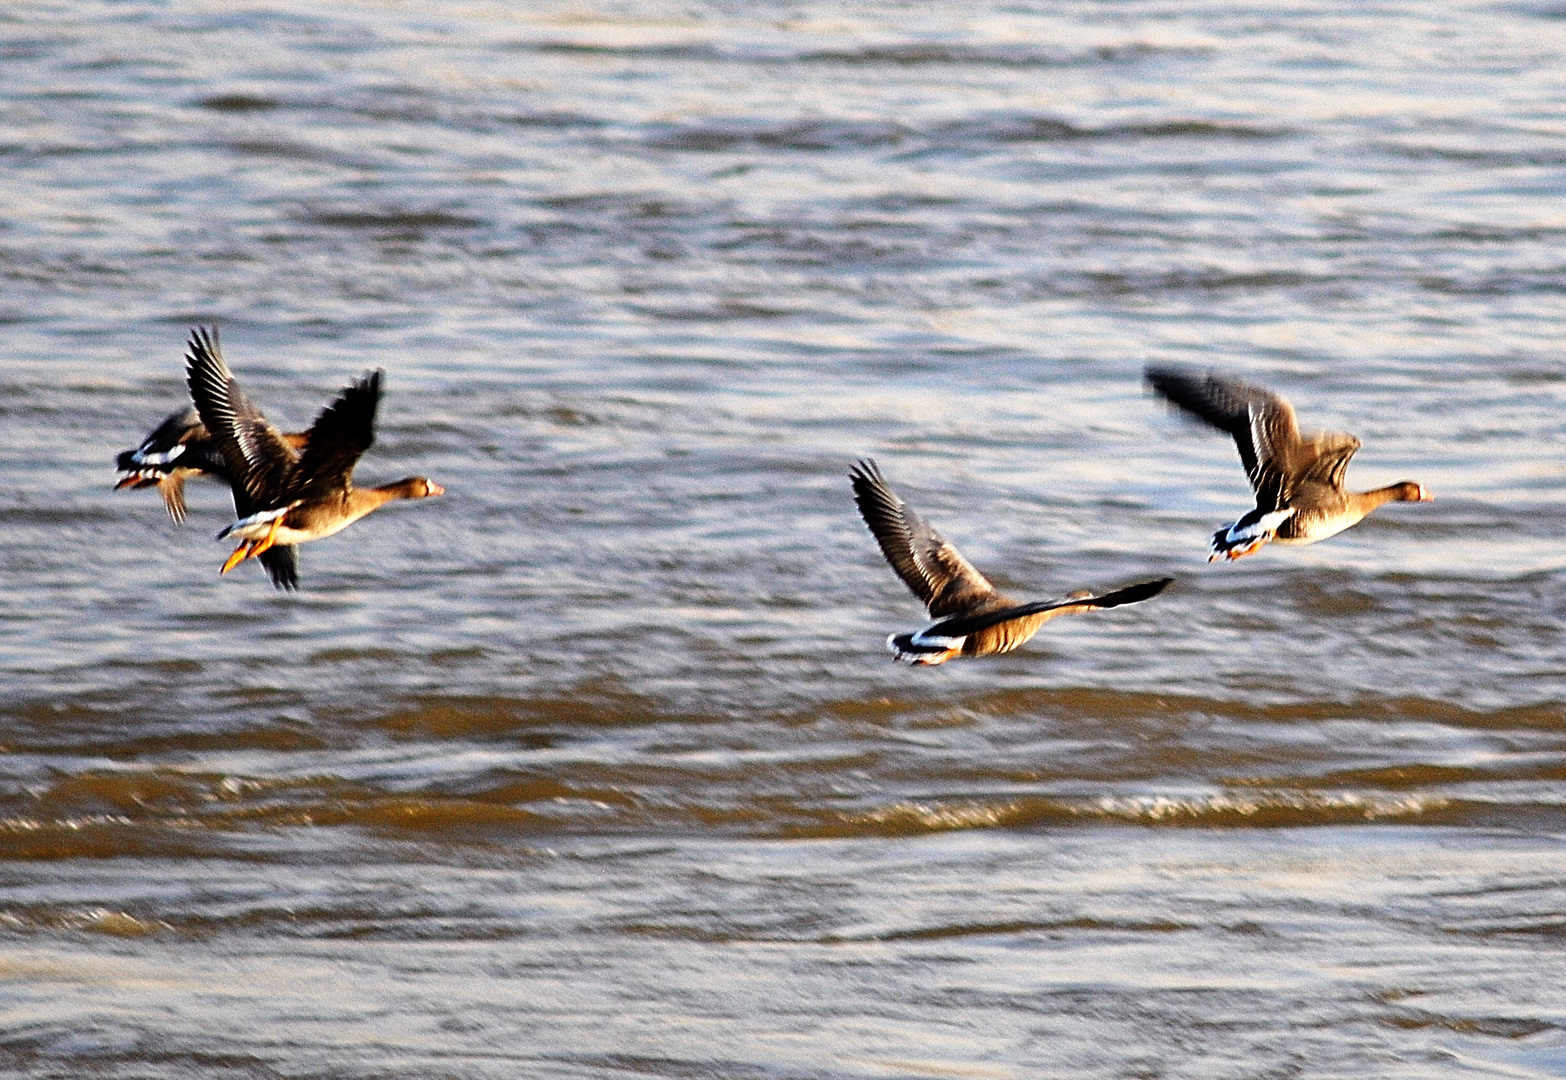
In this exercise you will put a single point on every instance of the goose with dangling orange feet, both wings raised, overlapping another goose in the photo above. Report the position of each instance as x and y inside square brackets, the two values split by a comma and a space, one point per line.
[287, 497]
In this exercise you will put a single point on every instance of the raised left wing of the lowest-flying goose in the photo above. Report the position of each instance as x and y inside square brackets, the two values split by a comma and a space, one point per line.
[929, 566]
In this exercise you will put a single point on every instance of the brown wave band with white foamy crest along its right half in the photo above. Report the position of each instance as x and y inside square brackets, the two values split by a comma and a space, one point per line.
[157, 812]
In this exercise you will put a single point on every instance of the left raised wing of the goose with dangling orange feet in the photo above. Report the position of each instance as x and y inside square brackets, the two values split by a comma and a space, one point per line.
[258, 456]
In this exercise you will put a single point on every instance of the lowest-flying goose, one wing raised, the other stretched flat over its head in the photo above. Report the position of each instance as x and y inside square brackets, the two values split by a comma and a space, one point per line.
[973, 619]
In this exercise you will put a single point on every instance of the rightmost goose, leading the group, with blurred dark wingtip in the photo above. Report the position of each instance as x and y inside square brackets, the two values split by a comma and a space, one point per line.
[1299, 480]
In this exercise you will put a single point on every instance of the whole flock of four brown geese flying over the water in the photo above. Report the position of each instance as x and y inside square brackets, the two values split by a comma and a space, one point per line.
[297, 488]
